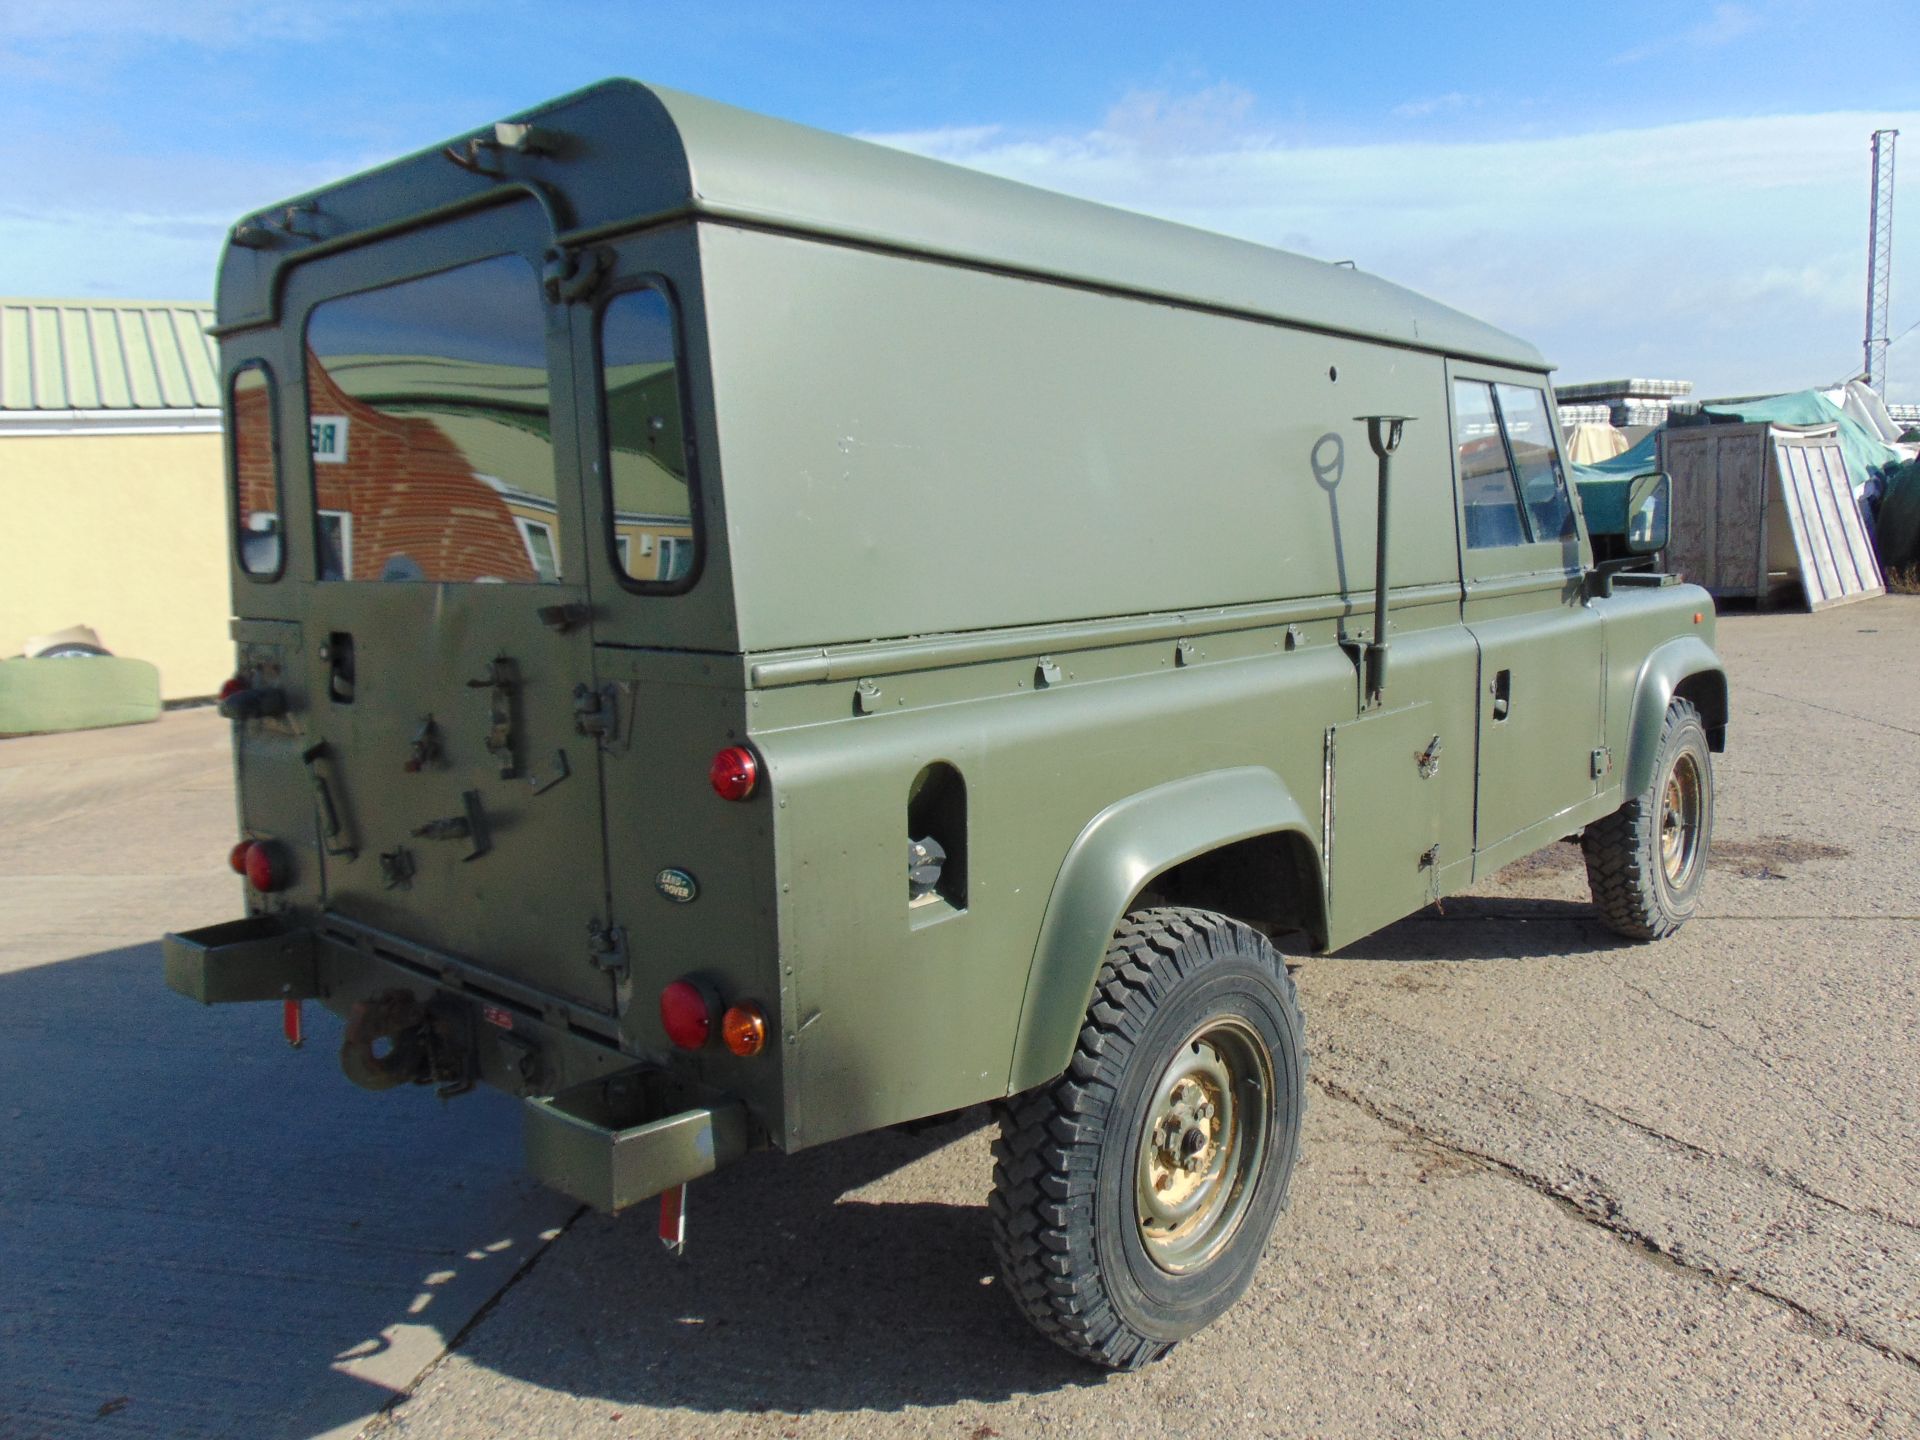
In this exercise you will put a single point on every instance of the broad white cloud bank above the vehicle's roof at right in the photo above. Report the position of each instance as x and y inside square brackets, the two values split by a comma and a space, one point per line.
[1729, 252]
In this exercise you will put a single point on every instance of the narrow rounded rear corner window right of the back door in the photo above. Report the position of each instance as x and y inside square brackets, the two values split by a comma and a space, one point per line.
[654, 519]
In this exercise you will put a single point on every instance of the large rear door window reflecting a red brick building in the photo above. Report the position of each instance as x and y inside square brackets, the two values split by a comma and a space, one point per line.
[433, 443]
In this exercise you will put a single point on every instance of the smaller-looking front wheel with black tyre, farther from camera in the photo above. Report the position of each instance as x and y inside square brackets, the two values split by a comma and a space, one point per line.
[1646, 861]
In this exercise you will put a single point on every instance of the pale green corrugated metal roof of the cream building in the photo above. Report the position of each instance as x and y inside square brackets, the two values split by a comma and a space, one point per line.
[107, 356]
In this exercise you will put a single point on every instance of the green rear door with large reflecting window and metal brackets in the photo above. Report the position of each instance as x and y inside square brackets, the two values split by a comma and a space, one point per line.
[448, 615]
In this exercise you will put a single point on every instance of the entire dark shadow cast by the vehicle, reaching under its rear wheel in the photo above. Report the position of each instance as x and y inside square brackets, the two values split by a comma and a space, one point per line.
[208, 1234]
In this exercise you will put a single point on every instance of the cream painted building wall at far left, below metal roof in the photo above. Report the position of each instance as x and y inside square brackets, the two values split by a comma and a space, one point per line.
[126, 535]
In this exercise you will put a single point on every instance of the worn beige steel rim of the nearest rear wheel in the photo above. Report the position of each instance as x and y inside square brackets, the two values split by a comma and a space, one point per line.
[1203, 1145]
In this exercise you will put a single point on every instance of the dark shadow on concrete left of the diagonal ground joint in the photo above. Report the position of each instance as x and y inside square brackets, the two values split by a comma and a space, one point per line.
[206, 1234]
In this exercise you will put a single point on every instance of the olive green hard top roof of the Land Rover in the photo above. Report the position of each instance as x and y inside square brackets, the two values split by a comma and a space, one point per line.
[623, 155]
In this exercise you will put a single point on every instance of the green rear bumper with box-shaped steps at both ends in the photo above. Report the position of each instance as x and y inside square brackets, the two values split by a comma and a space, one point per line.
[621, 1130]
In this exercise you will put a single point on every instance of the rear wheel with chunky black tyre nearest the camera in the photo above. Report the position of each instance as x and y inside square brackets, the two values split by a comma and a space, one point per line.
[1070, 1230]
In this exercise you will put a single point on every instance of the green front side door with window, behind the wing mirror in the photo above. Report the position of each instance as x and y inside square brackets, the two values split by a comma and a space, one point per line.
[1524, 564]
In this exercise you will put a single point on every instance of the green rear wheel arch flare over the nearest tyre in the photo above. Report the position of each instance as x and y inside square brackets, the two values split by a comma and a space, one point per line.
[1226, 840]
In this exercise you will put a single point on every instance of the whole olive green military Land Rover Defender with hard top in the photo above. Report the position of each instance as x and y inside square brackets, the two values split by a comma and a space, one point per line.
[750, 636]
